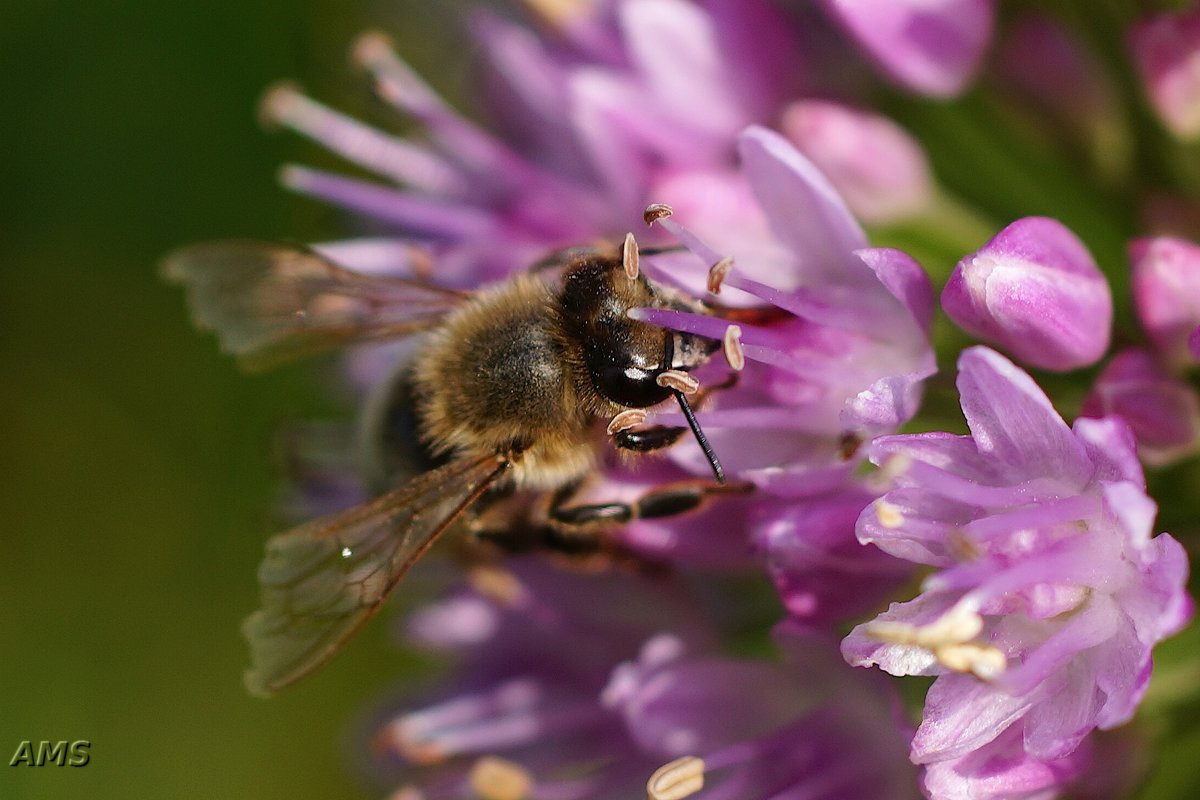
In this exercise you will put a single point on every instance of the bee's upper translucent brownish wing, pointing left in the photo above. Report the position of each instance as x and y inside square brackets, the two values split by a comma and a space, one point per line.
[271, 304]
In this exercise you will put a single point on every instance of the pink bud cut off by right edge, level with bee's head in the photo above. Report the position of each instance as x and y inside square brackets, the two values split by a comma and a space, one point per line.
[1167, 292]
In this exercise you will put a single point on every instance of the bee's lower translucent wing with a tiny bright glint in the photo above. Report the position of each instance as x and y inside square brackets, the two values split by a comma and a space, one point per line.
[322, 581]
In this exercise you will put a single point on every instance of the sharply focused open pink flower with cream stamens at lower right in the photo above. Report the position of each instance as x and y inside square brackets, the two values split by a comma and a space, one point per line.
[1052, 591]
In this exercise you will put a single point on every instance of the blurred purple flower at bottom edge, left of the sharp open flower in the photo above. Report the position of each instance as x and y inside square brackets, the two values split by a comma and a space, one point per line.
[805, 729]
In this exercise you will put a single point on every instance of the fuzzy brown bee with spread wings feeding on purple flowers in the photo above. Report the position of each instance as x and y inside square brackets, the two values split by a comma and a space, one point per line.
[507, 392]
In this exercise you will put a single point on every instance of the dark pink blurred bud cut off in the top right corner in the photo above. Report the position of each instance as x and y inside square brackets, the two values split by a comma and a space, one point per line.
[1167, 52]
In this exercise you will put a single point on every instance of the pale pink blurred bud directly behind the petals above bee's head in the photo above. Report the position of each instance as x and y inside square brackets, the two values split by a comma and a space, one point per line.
[878, 167]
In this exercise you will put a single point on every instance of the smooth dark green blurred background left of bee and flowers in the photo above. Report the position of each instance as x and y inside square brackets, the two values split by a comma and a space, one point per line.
[137, 470]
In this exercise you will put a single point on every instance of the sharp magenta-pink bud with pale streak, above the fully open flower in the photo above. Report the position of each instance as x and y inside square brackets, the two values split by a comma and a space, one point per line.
[1036, 292]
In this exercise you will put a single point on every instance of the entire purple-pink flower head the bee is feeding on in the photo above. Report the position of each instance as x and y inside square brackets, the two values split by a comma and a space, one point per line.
[755, 153]
